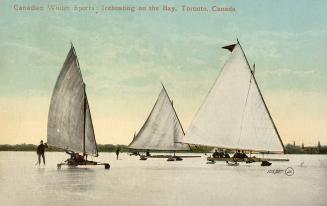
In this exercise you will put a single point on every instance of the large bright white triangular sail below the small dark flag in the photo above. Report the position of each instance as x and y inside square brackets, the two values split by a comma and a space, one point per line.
[234, 114]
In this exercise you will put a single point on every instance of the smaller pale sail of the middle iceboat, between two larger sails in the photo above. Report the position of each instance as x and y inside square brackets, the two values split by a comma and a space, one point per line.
[162, 130]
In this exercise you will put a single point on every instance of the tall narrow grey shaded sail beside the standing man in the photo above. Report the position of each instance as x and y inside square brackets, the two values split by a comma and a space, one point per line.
[69, 119]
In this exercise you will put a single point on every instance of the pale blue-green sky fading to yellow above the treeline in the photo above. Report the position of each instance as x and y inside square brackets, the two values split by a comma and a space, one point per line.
[125, 55]
